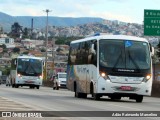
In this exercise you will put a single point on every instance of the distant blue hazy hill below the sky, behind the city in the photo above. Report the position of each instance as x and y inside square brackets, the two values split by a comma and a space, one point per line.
[40, 22]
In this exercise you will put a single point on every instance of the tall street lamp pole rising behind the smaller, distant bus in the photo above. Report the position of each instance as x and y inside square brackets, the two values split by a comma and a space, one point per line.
[47, 11]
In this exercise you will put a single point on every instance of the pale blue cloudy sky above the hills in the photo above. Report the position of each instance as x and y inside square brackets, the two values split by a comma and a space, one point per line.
[131, 11]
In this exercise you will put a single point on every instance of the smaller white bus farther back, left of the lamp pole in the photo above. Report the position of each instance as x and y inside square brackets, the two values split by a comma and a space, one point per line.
[26, 71]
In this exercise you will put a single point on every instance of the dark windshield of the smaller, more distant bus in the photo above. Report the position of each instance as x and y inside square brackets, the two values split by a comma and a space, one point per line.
[31, 67]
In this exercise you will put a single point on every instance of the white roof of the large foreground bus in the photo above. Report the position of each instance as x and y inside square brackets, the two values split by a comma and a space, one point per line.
[116, 37]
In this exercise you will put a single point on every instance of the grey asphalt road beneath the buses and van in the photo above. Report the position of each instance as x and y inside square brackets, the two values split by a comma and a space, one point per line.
[57, 102]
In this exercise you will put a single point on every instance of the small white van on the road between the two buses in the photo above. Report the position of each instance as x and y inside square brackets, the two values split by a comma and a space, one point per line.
[59, 80]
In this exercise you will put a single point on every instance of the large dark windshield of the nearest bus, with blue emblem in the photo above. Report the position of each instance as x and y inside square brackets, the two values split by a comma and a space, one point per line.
[124, 55]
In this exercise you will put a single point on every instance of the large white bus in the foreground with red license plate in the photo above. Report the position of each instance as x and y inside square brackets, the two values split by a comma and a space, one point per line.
[110, 65]
